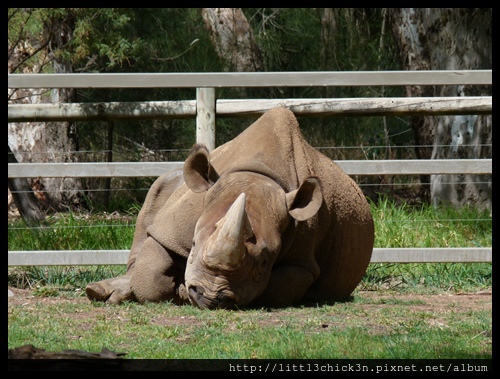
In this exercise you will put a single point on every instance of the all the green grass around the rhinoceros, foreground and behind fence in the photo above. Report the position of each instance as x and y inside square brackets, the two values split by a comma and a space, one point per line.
[389, 326]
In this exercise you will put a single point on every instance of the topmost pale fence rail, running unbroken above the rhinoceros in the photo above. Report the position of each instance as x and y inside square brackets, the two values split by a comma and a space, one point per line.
[252, 79]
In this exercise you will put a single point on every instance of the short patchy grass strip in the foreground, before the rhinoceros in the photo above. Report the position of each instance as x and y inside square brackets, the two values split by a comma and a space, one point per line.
[345, 330]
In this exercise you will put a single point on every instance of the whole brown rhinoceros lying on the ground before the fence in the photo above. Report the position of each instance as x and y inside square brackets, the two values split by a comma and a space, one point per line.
[263, 220]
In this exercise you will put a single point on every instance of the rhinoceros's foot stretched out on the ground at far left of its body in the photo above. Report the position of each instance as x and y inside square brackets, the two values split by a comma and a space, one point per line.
[111, 291]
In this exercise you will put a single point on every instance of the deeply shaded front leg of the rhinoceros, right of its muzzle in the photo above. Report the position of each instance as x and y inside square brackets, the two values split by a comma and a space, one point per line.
[287, 286]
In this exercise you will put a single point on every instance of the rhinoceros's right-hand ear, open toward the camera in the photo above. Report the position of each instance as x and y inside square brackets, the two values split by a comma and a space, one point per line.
[305, 201]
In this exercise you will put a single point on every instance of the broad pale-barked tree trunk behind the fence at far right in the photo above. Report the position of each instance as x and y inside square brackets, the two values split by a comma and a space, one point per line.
[449, 39]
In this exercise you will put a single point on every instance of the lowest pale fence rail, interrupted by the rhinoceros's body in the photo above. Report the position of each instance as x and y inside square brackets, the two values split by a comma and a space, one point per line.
[120, 257]
